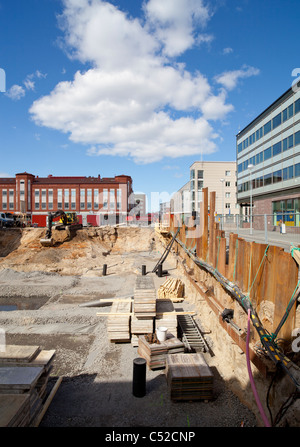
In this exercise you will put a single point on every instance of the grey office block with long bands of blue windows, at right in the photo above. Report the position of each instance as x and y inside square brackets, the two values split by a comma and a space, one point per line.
[268, 163]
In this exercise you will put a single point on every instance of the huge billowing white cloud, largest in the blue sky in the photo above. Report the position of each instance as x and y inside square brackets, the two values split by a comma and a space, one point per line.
[134, 101]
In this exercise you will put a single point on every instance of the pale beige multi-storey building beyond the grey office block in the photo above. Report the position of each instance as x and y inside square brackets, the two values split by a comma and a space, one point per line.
[219, 176]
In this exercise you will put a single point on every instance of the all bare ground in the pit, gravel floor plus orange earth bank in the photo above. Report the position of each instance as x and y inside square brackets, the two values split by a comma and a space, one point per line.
[49, 286]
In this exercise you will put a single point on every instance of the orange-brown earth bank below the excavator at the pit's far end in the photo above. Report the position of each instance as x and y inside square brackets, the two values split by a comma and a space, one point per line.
[84, 252]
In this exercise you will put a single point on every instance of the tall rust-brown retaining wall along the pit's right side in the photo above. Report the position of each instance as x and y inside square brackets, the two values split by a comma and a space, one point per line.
[262, 272]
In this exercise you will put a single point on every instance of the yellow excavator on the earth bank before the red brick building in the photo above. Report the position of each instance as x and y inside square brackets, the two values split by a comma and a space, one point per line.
[68, 221]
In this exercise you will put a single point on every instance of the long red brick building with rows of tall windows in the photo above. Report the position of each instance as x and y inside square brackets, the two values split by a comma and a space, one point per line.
[96, 200]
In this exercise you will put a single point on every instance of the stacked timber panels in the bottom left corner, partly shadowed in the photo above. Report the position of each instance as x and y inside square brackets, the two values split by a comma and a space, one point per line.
[24, 374]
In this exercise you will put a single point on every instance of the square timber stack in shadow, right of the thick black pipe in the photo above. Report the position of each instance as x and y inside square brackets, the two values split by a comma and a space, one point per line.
[189, 377]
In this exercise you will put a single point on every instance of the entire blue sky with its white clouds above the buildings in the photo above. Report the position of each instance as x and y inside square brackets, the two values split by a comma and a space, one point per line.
[138, 87]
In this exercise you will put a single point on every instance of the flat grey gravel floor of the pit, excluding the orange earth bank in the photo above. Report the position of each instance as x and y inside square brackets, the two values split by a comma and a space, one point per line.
[96, 390]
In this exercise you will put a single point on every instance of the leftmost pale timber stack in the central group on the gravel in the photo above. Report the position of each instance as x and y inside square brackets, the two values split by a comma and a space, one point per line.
[118, 322]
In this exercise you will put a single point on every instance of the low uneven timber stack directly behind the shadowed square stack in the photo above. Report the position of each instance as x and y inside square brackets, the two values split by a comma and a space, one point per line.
[155, 352]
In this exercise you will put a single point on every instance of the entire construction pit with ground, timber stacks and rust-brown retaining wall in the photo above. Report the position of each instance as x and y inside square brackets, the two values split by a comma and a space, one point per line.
[141, 326]
